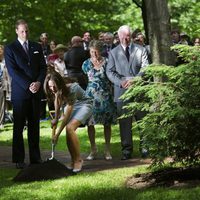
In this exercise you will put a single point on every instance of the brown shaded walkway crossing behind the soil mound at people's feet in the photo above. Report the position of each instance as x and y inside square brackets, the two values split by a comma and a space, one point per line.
[94, 165]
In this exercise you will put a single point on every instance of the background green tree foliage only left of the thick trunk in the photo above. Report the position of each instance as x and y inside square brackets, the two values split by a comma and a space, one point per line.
[63, 19]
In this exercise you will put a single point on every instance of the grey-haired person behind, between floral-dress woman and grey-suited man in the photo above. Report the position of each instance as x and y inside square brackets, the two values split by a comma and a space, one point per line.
[108, 44]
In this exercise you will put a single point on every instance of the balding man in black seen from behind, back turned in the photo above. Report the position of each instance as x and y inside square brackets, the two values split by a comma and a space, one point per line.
[74, 59]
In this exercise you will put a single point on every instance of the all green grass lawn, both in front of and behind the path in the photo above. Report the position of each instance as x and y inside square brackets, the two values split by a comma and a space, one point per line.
[105, 185]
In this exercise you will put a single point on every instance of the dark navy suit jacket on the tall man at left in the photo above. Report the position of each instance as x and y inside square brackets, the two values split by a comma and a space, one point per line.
[24, 69]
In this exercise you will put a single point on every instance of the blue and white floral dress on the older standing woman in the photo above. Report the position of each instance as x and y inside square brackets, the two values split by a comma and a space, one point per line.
[100, 90]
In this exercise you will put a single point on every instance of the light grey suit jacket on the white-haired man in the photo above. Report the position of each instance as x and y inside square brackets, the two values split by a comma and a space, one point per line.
[118, 66]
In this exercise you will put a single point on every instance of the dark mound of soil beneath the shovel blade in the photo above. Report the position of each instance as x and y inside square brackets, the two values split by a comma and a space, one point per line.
[50, 169]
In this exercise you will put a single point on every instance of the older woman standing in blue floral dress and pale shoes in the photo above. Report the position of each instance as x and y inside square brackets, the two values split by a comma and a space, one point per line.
[100, 90]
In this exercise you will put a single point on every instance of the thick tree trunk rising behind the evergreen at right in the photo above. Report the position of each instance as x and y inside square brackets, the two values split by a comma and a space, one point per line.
[158, 25]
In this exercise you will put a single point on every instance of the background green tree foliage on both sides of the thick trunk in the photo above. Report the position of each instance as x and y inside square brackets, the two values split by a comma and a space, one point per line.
[64, 18]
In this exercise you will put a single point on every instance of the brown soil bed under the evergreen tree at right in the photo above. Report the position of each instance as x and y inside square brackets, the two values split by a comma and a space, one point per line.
[171, 177]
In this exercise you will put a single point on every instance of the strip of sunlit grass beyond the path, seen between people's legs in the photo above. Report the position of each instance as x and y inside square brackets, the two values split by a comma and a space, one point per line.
[45, 139]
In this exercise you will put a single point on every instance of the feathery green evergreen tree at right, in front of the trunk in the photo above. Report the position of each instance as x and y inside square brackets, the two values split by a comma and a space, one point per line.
[172, 124]
